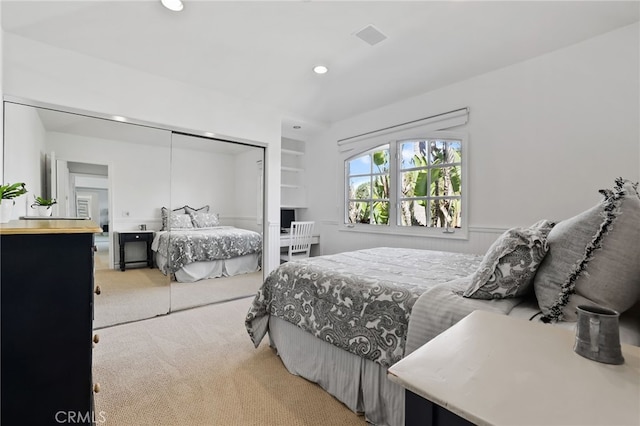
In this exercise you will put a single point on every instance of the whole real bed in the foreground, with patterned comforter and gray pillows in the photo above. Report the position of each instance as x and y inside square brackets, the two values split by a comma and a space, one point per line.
[341, 320]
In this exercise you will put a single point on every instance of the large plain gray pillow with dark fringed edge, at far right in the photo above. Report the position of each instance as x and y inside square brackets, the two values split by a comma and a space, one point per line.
[594, 257]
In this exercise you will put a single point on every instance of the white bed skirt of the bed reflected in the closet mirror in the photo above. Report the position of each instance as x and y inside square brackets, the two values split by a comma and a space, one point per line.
[214, 268]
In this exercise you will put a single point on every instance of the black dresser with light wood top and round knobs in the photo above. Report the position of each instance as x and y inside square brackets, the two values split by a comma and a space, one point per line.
[46, 290]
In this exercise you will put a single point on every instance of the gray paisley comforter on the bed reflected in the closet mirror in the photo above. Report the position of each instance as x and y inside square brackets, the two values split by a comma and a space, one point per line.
[221, 242]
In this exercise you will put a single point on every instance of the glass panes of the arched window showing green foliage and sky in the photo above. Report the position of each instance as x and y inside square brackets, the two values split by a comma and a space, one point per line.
[430, 185]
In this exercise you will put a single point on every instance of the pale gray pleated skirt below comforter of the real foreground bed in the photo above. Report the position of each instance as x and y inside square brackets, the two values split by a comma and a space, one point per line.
[360, 384]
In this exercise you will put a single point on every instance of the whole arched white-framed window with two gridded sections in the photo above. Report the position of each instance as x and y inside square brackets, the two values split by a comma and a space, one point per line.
[419, 192]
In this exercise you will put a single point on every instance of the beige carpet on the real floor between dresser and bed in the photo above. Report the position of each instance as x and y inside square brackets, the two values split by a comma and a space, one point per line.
[199, 367]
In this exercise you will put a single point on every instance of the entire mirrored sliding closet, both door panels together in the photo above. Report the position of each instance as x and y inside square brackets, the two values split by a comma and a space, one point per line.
[181, 215]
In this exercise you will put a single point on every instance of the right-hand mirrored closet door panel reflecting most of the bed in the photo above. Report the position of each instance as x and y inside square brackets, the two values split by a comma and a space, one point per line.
[214, 237]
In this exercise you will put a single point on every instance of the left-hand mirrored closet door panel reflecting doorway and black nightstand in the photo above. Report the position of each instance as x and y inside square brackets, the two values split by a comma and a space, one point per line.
[116, 174]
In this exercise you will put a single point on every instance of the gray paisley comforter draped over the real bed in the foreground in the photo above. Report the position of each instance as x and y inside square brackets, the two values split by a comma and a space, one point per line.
[359, 301]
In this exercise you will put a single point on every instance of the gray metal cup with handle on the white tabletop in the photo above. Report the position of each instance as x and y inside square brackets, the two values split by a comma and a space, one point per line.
[598, 334]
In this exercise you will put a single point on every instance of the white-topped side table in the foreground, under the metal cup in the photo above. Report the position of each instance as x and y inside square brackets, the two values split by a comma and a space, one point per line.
[491, 369]
